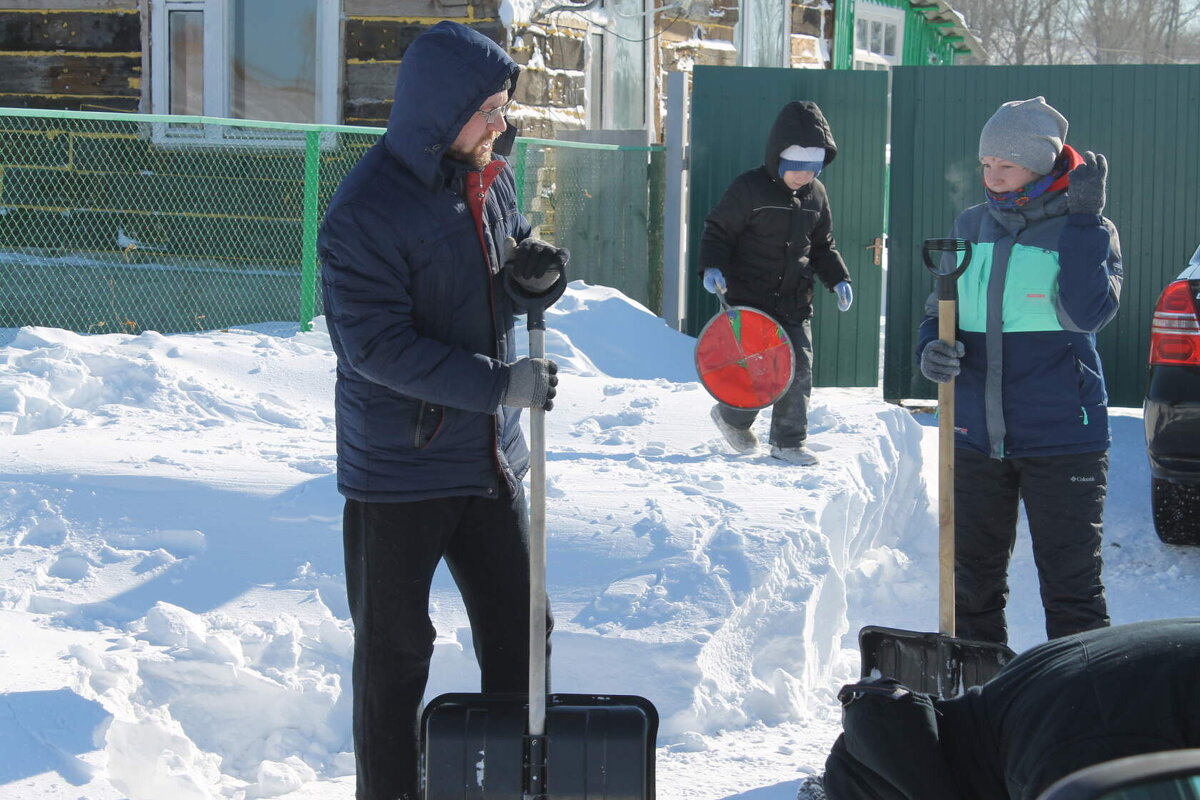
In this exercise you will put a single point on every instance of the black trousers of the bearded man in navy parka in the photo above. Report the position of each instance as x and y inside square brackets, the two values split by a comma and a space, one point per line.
[392, 554]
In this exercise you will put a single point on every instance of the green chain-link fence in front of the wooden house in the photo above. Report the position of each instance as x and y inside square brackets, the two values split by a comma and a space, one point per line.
[123, 224]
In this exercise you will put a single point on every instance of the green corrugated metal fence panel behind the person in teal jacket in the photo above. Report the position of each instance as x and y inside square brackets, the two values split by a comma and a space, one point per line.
[1143, 118]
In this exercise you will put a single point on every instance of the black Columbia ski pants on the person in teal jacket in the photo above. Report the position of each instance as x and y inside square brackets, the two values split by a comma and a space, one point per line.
[1064, 500]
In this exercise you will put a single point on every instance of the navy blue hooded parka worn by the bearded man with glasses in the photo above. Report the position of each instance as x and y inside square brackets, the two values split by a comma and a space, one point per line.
[415, 303]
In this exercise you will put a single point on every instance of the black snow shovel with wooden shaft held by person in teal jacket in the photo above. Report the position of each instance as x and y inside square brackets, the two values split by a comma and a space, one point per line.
[938, 664]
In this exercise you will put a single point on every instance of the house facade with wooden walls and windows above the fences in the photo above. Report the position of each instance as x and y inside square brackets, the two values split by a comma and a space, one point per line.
[596, 64]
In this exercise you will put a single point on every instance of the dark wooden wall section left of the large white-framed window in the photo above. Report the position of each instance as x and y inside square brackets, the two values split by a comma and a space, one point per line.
[73, 55]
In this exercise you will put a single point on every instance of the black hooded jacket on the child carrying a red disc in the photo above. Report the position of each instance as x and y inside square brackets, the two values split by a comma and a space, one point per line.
[770, 242]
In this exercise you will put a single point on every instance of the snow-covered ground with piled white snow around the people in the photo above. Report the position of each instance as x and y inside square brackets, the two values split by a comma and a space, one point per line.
[173, 623]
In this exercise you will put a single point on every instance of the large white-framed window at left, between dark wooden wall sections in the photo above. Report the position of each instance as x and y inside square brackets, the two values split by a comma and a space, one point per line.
[274, 61]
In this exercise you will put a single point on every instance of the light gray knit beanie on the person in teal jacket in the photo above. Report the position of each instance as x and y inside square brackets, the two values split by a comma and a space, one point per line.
[1028, 133]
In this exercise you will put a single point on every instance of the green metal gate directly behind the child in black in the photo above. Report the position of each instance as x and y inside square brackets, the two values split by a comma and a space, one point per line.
[733, 112]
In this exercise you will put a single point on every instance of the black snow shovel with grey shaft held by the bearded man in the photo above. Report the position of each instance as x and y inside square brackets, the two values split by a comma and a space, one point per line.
[538, 747]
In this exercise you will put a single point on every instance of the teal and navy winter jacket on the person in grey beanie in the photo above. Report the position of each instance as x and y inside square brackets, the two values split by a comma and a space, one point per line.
[1041, 284]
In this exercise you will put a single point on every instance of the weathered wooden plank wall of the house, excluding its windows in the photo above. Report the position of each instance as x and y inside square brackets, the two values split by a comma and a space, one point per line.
[93, 55]
